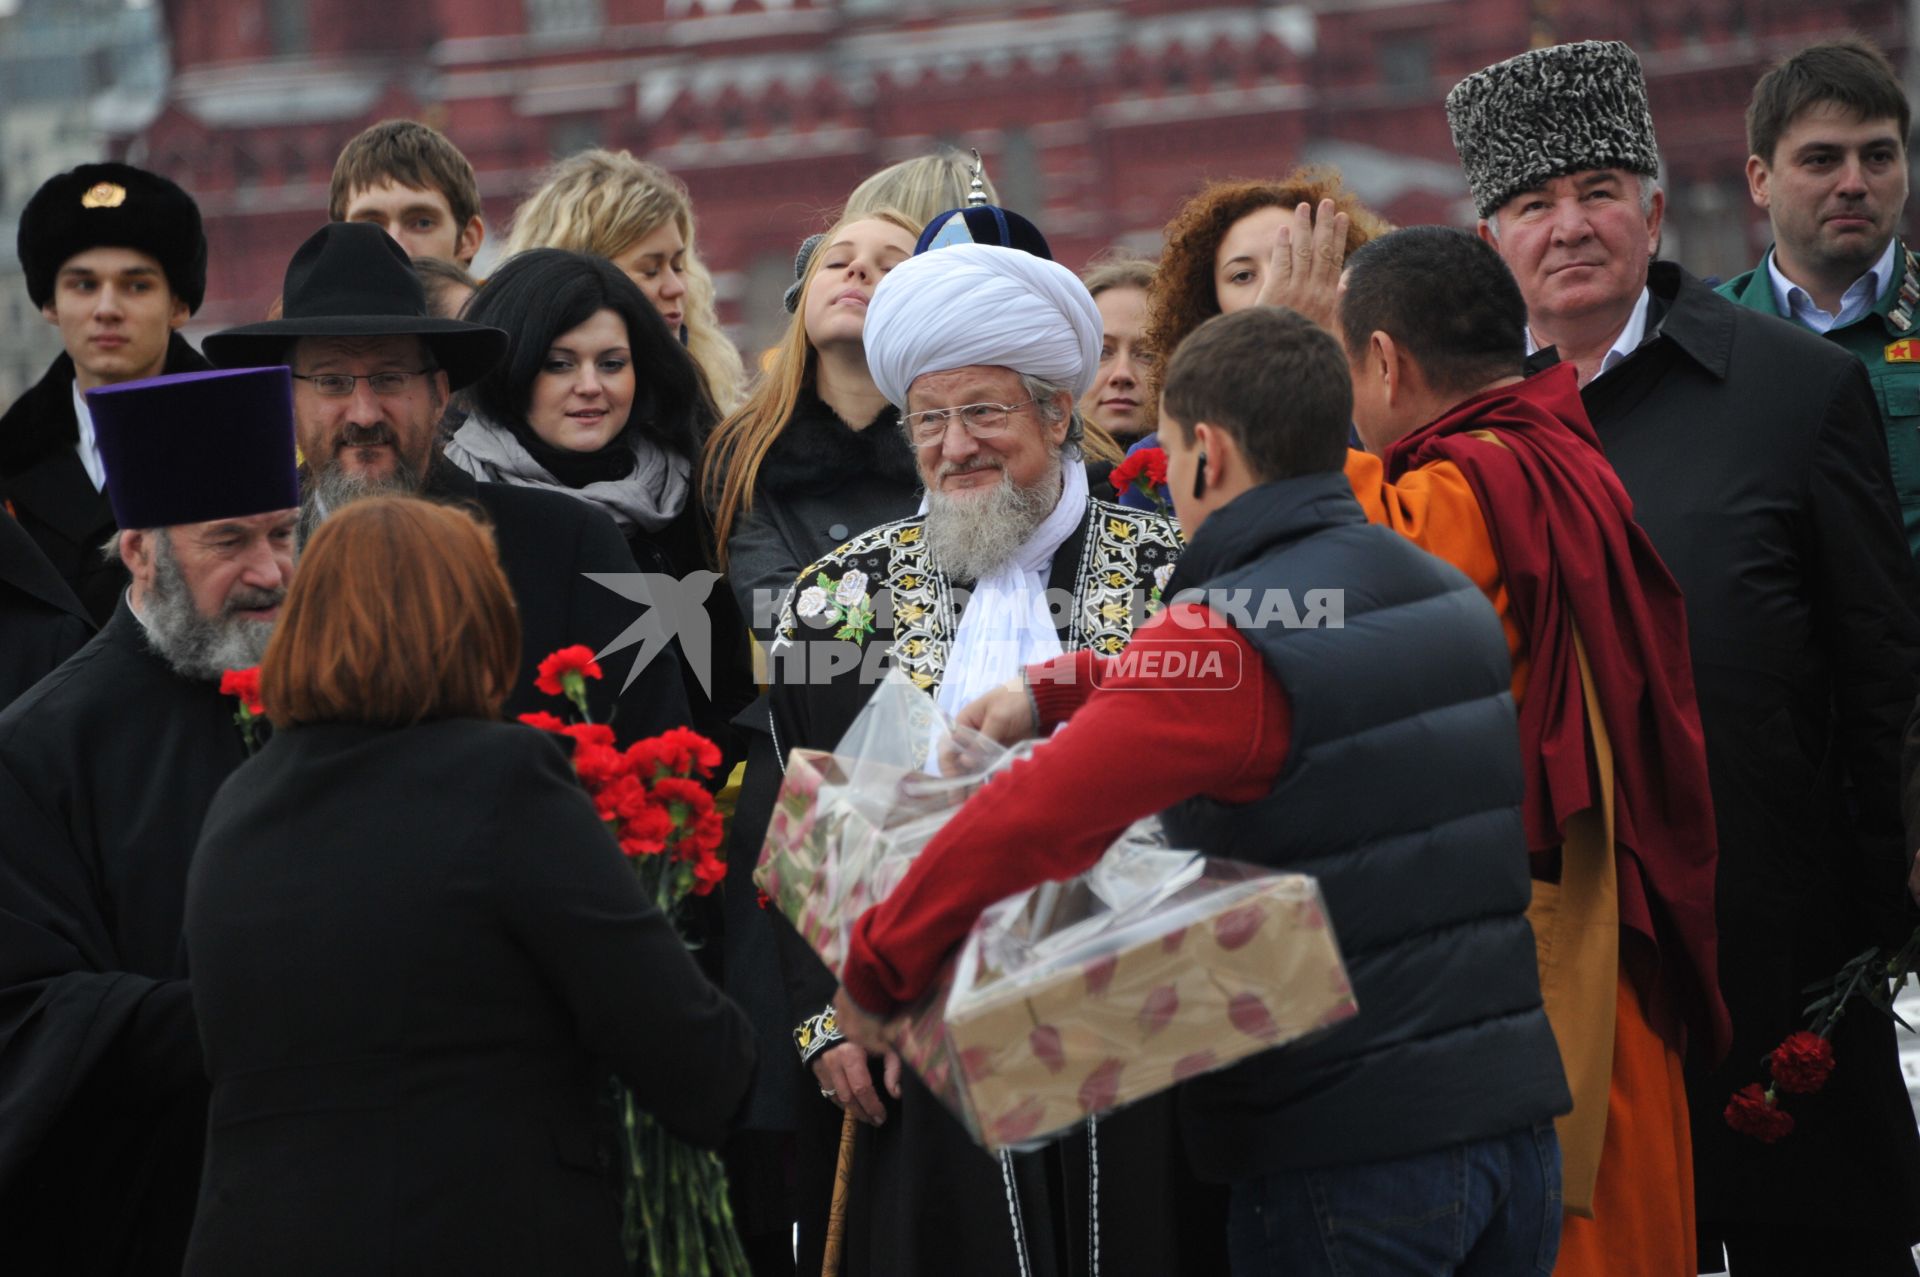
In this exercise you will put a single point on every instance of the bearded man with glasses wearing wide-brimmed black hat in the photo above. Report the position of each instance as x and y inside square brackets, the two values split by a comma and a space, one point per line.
[372, 379]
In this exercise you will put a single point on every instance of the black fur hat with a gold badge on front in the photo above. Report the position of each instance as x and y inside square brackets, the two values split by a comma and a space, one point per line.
[114, 206]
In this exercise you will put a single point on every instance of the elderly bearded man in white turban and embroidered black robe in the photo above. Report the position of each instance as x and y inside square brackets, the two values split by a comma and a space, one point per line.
[1011, 562]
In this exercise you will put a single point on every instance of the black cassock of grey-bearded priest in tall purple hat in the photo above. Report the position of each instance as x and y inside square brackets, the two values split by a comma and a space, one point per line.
[107, 771]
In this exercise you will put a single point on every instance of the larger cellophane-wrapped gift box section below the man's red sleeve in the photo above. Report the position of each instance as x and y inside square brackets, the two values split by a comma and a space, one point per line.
[1063, 1007]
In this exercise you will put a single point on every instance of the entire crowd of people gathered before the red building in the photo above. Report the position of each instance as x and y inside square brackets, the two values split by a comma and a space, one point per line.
[1593, 738]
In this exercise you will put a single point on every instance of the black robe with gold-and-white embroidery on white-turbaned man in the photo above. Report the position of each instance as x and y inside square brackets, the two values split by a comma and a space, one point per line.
[924, 1197]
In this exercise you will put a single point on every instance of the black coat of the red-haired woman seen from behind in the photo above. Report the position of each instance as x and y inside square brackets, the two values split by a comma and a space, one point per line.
[418, 955]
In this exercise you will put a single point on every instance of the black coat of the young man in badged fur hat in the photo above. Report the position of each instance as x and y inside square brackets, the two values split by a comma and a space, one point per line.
[49, 491]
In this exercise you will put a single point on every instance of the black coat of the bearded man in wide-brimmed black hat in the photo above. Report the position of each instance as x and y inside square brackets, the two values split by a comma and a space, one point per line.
[548, 544]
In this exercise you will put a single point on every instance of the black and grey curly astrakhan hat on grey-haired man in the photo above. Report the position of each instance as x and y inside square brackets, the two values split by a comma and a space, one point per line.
[1552, 112]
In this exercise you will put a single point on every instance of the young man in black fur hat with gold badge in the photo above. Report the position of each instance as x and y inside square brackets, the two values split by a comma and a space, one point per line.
[118, 262]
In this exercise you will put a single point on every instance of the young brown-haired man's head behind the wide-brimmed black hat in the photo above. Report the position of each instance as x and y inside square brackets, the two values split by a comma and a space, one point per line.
[414, 183]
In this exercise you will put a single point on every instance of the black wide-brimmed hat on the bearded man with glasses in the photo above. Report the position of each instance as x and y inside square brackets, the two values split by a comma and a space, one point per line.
[352, 279]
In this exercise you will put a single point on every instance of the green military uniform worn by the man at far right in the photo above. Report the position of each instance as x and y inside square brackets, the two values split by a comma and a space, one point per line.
[1888, 343]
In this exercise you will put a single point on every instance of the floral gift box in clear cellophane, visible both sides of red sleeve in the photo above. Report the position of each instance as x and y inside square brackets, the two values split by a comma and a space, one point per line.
[1068, 1000]
